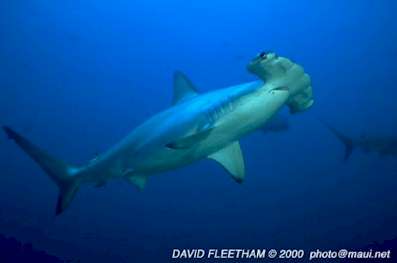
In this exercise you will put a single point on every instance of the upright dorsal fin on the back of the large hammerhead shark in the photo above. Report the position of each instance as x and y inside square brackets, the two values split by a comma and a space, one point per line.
[183, 88]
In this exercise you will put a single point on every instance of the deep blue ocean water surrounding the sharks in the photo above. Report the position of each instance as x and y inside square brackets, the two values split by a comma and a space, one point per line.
[78, 76]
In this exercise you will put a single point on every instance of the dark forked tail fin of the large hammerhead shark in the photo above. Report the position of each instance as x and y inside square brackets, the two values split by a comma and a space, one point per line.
[63, 175]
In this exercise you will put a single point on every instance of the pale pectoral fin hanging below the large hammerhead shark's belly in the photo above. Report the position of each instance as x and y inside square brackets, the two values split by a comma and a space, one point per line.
[231, 158]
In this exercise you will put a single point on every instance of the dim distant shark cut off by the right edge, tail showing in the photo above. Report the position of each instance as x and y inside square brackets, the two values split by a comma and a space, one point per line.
[382, 145]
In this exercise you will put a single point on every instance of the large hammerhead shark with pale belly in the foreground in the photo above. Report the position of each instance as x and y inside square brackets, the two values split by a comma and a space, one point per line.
[196, 126]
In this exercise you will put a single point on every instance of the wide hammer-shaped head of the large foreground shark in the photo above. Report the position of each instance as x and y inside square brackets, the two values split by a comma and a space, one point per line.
[281, 73]
